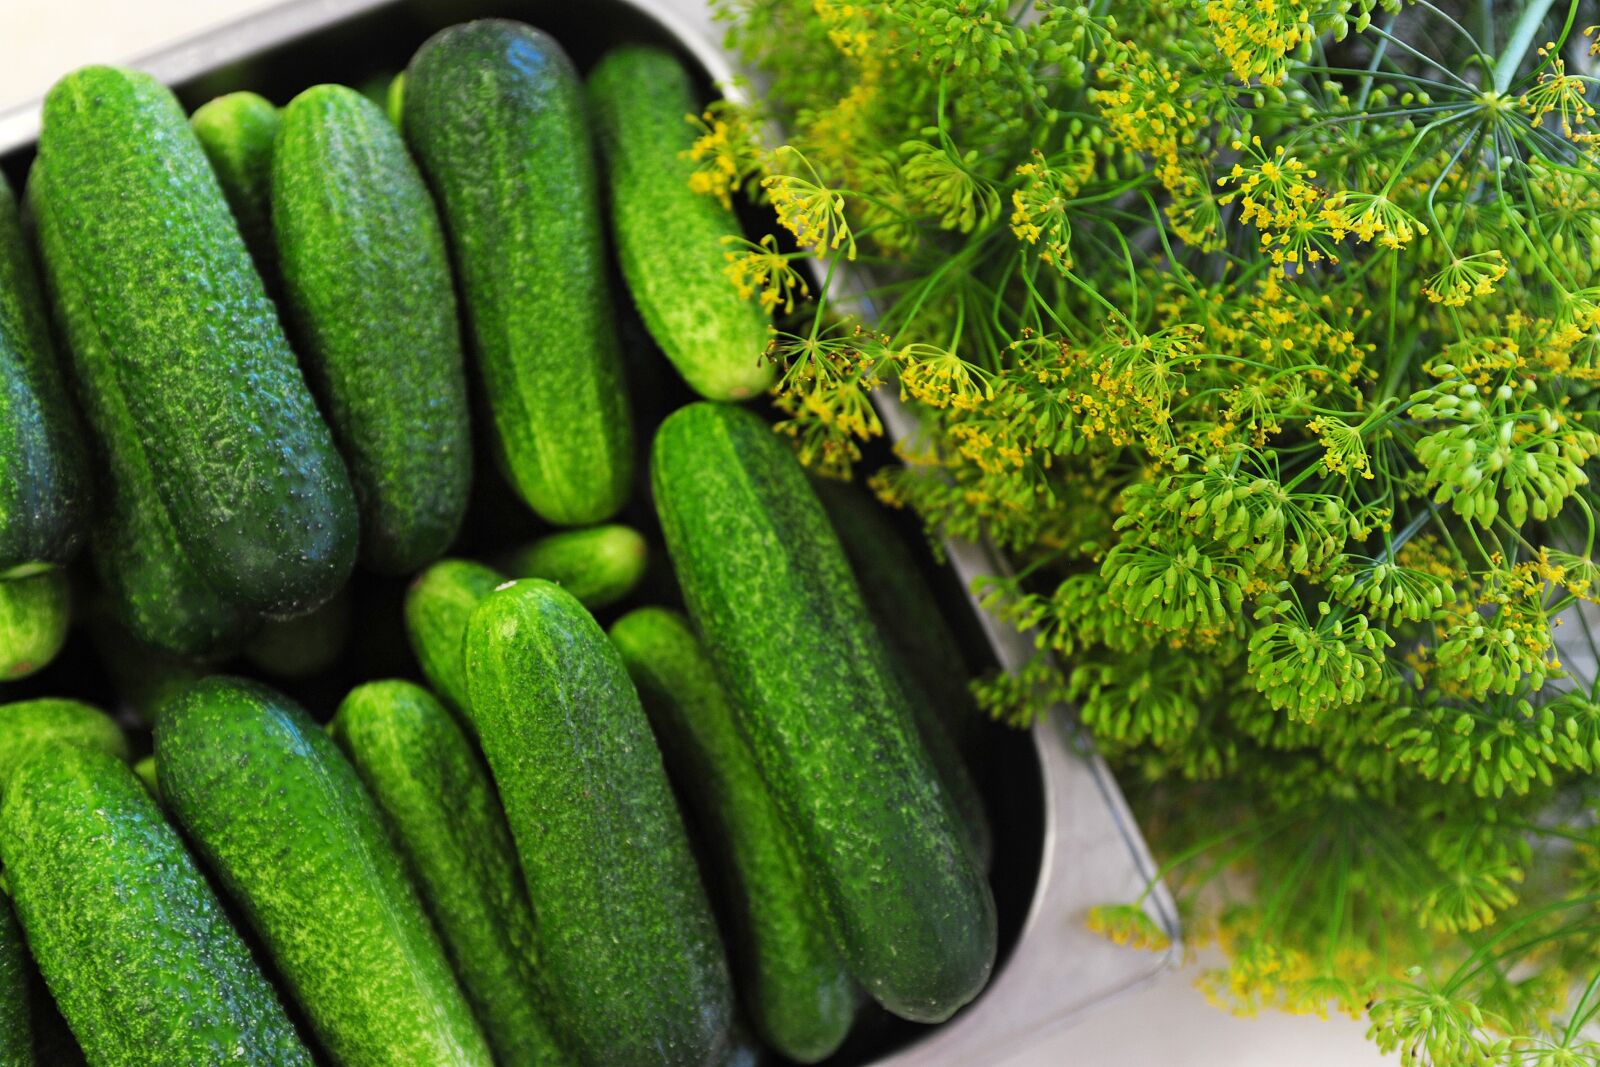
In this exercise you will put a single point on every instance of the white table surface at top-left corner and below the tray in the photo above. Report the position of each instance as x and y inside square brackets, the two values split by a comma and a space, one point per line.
[1167, 1025]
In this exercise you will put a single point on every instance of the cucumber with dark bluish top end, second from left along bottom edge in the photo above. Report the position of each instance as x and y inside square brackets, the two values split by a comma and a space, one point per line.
[282, 820]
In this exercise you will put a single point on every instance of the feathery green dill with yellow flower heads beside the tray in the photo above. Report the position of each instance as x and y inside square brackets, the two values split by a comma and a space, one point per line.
[1266, 337]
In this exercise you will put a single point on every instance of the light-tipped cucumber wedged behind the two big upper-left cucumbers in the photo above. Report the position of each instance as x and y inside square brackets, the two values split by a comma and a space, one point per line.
[238, 132]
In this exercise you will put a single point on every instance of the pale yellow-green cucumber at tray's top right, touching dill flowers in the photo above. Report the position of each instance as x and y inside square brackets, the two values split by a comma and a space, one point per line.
[670, 239]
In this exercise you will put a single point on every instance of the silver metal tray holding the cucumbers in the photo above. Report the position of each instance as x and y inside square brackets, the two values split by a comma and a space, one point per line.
[1090, 850]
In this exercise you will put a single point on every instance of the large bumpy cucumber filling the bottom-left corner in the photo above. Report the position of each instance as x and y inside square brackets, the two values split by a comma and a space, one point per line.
[129, 937]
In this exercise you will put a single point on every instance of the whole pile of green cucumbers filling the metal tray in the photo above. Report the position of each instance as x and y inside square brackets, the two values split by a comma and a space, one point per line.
[246, 353]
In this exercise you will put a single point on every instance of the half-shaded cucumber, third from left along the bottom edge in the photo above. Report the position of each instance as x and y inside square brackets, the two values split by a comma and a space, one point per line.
[444, 812]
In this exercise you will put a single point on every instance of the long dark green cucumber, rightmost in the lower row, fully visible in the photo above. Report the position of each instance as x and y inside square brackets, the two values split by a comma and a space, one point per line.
[828, 722]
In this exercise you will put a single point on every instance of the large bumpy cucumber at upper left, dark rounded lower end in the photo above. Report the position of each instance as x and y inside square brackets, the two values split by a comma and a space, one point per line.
[174, 332]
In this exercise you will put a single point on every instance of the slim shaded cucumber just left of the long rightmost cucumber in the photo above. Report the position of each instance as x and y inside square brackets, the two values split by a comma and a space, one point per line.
[796, 988]
